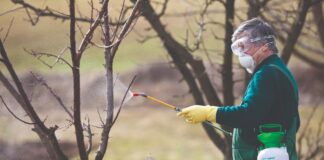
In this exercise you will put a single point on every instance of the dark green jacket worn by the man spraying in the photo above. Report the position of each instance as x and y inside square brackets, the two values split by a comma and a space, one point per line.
[269, 98]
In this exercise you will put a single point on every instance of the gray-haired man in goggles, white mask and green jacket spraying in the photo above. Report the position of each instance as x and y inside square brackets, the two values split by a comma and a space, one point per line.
[270, 97]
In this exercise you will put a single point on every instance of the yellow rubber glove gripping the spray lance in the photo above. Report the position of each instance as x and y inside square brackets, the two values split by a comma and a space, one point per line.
[197, 114]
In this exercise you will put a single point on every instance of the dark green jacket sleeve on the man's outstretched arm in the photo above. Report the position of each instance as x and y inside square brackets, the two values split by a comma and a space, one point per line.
[256, 103]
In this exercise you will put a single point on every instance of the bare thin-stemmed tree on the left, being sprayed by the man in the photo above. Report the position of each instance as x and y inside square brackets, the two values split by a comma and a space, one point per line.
[111, 43]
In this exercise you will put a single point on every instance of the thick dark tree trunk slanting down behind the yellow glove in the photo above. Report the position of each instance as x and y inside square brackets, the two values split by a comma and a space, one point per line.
[181, 58]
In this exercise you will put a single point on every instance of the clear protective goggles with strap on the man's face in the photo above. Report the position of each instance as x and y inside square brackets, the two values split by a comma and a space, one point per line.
[242, 45]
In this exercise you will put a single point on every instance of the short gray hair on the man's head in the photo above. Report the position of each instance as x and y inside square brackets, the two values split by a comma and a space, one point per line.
[259, 32]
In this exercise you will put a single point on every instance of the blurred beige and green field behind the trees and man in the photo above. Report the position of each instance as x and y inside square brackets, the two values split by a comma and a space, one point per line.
[145, 130]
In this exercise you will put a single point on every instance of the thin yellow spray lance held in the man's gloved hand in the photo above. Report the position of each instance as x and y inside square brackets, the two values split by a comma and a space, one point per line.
[177, 110]
